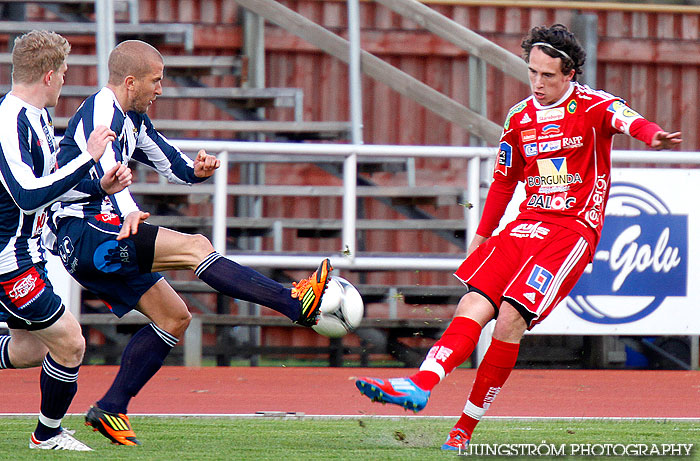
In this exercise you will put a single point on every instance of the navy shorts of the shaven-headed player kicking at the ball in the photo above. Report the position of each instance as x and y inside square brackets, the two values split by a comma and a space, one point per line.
[117, 271]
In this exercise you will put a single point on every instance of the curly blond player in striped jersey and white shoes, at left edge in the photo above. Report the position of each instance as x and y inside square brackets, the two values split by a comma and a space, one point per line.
[42, 331]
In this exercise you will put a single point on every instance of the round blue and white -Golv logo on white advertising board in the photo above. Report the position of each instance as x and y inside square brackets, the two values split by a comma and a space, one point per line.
[641, 259]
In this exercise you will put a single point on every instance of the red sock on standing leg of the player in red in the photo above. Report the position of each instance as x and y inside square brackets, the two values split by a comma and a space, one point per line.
[492, 374]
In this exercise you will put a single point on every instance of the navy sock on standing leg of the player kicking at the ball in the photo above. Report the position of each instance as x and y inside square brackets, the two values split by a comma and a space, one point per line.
[141, 359]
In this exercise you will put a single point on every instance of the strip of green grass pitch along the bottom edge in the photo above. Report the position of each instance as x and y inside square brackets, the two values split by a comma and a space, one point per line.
[262, 438]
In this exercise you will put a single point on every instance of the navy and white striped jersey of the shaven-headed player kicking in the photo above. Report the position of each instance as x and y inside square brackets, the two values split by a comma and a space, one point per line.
[137, 140]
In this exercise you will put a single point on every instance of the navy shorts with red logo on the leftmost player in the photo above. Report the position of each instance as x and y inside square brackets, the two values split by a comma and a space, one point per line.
[27, 299]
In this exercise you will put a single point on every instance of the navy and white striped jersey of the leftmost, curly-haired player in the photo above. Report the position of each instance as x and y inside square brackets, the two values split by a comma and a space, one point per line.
[30, 180]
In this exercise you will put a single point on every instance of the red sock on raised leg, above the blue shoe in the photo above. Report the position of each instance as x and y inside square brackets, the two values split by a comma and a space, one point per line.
[452, 349]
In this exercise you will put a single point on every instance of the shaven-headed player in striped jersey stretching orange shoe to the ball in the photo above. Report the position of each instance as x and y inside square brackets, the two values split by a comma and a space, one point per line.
[107, 246]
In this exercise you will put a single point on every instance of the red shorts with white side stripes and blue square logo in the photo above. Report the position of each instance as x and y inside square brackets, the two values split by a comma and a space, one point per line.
[531, 264]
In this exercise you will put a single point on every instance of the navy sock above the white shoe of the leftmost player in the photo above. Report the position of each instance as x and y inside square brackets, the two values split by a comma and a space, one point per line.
[58, 387]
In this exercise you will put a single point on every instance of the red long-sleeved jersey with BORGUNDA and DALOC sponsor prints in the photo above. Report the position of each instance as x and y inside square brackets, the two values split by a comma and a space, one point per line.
[562, 153]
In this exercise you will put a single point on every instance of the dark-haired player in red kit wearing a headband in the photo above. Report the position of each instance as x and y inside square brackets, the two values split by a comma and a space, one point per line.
[558, 142]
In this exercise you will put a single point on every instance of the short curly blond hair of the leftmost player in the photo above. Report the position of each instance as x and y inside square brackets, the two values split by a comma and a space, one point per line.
[36, 53]
